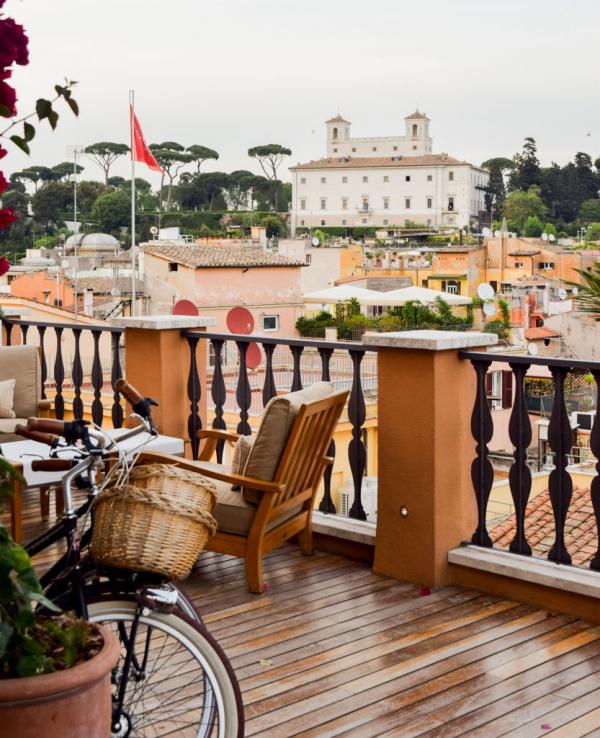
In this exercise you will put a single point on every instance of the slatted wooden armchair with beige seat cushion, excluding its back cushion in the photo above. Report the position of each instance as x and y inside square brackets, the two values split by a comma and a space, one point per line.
[268, 512]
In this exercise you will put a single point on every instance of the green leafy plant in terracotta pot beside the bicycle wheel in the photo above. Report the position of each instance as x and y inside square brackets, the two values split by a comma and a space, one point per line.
[54, 669]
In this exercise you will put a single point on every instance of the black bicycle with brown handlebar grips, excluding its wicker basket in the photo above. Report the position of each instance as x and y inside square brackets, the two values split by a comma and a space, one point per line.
[172, 677]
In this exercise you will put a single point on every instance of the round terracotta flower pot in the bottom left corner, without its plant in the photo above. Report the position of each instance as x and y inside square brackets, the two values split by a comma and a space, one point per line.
[74, 703]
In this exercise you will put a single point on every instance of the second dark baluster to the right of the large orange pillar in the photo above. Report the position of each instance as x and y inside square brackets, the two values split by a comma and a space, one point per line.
[519, 429]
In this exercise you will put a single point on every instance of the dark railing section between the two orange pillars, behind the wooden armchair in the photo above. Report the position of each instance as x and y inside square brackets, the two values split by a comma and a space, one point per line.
[289, 365]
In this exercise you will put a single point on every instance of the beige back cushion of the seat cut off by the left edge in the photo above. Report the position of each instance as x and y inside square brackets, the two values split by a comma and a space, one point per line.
[22, 363]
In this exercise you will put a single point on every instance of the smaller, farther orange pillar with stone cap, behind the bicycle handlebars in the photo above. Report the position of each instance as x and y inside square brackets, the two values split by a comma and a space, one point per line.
[157, 363]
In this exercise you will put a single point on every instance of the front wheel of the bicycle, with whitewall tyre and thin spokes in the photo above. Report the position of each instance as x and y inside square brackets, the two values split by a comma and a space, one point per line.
[179, 682]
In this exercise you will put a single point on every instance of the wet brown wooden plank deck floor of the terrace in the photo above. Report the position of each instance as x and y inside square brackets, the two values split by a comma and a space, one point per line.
[335, 650]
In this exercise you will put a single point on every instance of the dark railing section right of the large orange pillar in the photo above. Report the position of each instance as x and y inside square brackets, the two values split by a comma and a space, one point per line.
[560, 438]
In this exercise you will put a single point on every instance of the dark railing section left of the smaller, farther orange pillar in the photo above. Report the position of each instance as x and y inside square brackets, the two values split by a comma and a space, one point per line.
[81, 372]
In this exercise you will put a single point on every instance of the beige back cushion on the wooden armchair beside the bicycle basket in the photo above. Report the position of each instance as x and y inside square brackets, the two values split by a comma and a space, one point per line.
[271, 438]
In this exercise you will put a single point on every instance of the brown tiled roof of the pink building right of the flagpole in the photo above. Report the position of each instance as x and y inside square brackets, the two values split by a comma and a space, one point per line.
[214, 256]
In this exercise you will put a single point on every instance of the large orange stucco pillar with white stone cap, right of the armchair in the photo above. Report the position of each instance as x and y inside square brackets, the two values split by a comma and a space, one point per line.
[426, 503]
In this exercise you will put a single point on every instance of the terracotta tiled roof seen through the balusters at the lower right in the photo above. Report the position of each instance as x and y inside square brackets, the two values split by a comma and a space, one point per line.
[581, 537]
